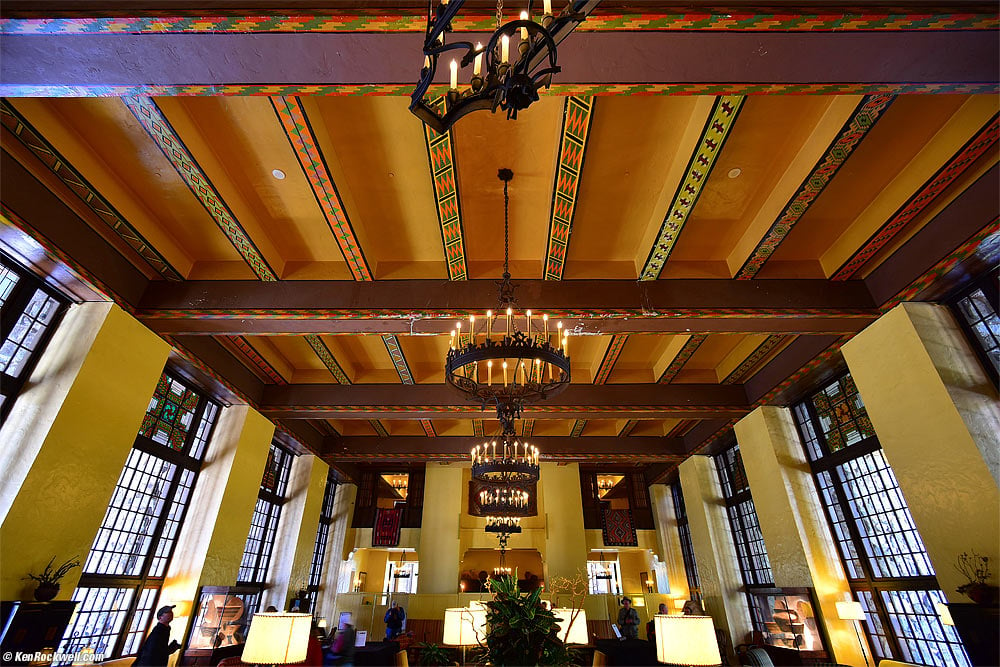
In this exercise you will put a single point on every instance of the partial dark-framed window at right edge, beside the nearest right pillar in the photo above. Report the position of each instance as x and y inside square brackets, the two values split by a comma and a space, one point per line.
[976, 309]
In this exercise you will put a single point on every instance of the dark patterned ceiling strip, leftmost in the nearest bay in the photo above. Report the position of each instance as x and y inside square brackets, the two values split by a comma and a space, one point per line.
[91, 198]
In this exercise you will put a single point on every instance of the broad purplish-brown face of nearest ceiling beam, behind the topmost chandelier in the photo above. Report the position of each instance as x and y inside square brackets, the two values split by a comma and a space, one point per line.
[314, 63]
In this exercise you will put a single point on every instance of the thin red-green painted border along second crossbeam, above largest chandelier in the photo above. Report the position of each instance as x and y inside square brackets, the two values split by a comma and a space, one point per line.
[390, 314]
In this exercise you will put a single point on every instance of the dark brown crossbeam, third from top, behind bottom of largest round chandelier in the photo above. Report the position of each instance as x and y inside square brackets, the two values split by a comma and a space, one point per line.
[392, 401]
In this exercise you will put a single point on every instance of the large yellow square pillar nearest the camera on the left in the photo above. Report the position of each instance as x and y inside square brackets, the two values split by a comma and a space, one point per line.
[75, 423]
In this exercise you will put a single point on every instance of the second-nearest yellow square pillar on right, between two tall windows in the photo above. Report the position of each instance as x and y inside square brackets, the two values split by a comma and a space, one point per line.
[799, 544]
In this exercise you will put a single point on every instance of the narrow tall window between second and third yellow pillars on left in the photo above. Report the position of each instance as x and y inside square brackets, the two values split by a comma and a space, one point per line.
[264, 526]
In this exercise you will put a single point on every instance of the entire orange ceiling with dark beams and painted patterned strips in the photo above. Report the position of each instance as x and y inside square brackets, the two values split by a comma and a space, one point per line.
[711, 200]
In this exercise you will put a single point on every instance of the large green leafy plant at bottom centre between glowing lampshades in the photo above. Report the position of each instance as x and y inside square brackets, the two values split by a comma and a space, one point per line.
[521, 631]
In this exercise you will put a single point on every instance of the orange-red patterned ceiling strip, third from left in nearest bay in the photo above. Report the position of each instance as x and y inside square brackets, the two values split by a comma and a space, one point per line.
[300, 135]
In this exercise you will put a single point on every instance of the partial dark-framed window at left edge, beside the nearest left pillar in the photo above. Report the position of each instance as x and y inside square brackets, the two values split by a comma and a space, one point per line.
[29, 312]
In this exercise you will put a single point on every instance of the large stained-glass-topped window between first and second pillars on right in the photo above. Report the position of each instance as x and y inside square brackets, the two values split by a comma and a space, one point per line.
[885, 559]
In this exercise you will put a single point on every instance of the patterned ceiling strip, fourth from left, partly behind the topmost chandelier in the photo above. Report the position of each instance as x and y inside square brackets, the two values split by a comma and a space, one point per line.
[441, 158]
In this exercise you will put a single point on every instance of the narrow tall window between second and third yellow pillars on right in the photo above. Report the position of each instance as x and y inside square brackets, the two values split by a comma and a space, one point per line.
[751, 553]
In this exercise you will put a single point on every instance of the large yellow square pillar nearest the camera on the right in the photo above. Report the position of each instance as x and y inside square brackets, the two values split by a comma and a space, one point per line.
[938, 419]
